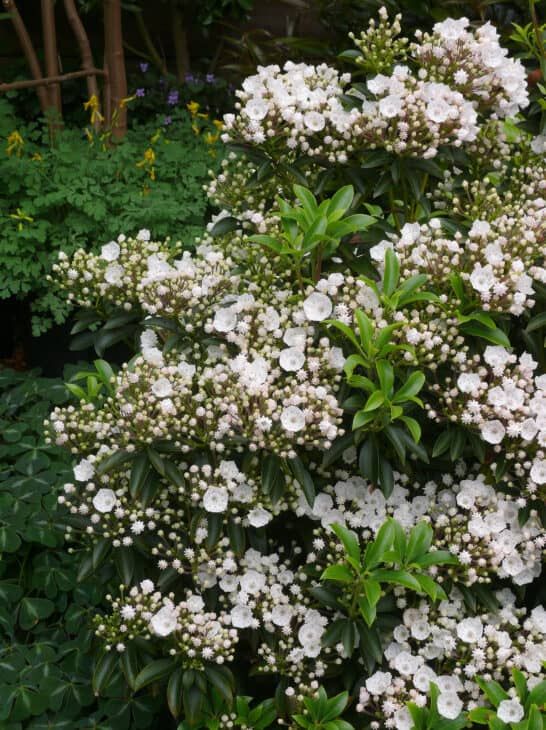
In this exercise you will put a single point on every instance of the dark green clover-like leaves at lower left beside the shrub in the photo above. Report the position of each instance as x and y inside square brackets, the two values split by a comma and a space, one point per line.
[46, 662]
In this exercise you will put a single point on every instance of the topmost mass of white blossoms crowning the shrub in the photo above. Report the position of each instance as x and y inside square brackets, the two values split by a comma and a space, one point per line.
[460, 75]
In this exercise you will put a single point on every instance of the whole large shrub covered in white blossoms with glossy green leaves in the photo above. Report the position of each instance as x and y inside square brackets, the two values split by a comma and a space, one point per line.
[321, 475]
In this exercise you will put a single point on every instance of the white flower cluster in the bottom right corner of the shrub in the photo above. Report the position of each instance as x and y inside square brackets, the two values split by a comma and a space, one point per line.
[436, 645]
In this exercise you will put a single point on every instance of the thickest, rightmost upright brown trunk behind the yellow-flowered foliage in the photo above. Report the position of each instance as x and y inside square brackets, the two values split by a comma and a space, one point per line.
[115, 62]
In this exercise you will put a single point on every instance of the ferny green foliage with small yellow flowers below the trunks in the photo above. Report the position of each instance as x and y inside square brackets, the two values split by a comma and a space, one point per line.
[79, 192]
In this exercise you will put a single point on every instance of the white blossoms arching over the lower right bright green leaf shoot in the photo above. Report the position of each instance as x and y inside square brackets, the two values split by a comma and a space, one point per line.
[469, 517]
